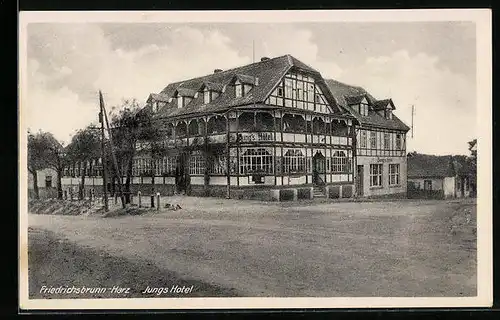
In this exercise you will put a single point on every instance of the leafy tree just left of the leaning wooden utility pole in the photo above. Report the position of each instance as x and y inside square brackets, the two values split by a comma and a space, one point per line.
[84, 147]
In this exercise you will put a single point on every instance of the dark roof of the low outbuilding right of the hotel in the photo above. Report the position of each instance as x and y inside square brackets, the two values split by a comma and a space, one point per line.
[429, 166]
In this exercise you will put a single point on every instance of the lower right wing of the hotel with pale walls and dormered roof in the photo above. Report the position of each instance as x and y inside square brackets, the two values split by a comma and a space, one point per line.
[380, 153]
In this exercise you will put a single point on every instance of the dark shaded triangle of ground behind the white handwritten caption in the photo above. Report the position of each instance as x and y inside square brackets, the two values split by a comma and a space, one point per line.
[55, 262]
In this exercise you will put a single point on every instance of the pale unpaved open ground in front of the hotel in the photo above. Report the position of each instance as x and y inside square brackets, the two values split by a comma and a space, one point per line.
[403, 248]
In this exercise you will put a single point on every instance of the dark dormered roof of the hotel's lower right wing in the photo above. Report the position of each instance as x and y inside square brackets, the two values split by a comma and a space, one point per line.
[345, 94]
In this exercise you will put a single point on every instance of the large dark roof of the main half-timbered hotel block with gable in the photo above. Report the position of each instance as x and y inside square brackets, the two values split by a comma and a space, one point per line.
[265, 74]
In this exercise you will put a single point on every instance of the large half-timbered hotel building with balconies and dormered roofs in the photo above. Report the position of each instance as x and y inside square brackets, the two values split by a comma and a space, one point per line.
[275, 130]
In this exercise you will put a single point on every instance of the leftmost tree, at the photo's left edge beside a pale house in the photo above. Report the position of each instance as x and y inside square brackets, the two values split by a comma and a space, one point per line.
[46, 152]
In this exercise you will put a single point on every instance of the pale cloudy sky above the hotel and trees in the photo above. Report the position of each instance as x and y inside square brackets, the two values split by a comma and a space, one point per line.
[431, 65]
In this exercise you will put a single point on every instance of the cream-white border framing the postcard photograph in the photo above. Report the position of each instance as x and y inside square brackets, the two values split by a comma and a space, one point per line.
[482, 18]
